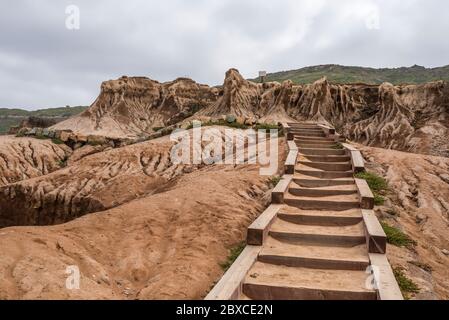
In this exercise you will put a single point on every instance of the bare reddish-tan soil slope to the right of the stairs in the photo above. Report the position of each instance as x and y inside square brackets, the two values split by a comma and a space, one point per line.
[419, 205]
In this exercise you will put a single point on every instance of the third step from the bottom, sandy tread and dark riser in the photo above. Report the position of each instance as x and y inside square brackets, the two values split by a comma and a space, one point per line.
[341, 236]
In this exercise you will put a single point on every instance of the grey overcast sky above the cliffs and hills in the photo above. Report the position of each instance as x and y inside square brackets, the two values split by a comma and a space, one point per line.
[45, 64]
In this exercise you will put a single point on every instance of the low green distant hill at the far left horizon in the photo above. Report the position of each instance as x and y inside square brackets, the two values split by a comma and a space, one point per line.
[13, 117]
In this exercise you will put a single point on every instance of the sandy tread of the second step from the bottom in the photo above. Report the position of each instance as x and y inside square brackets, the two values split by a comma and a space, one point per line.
[273, 247]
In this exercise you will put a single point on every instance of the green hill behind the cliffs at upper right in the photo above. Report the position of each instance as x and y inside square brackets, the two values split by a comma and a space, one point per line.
[342, 74]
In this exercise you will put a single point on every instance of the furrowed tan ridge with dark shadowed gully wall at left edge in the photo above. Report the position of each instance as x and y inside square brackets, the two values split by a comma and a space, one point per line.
[97, 182]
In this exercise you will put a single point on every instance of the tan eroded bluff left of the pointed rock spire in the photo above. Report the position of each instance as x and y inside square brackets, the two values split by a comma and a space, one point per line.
[135, 106]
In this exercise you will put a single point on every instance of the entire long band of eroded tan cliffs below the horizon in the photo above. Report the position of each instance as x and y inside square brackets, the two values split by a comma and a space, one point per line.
[408, 117]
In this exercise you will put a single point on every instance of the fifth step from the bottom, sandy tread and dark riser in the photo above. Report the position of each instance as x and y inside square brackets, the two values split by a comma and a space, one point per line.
[338, 203]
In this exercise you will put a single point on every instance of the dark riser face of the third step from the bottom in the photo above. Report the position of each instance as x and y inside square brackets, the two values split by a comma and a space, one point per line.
[319, 239]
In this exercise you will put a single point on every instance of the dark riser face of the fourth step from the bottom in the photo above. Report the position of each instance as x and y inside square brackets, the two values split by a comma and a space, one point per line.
[325, 221]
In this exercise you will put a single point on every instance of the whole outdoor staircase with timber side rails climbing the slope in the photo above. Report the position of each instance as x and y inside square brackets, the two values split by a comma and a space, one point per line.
[317, 240]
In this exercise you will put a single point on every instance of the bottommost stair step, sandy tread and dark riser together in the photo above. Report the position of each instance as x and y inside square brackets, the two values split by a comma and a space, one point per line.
[271, 282]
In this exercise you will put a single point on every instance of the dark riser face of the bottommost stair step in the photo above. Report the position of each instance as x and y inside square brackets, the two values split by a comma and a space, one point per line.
[264, 292]
